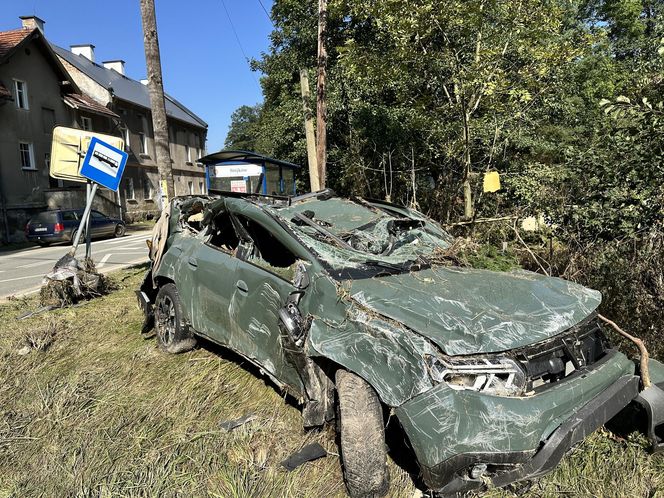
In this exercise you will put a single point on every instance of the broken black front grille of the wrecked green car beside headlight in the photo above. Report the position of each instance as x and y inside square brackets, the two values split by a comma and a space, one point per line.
[554, 360]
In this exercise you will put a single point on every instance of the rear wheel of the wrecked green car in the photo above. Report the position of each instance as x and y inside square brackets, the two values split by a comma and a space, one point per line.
[173, 333]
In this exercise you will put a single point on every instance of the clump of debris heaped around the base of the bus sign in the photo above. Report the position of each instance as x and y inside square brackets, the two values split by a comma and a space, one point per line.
[72, 281]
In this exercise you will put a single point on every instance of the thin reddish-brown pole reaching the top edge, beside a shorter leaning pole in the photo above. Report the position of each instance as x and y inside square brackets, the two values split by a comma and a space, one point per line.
[321, 107]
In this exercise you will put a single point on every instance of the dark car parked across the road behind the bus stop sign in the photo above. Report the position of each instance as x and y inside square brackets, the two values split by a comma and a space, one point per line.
[61, 225]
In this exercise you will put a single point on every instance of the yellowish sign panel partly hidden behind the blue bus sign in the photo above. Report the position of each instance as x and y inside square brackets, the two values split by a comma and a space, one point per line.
[69, 147]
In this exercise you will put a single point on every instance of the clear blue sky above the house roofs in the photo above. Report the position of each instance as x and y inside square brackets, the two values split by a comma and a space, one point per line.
[202, 63]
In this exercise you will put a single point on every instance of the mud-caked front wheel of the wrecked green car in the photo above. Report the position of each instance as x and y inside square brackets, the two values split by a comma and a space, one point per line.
[362, 437]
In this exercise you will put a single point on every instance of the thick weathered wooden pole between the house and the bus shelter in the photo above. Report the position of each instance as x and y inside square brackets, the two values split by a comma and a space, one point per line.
[156, 89]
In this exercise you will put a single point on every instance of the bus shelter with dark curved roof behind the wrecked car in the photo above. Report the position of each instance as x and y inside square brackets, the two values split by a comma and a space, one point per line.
[248, 172]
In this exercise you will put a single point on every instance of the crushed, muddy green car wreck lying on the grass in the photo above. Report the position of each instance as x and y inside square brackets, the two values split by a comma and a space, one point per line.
[348, 305]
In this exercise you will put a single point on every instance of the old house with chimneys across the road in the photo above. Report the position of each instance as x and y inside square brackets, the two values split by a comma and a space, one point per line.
[43, 86]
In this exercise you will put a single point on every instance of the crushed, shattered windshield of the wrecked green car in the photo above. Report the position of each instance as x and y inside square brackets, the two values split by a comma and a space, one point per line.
[348, 234]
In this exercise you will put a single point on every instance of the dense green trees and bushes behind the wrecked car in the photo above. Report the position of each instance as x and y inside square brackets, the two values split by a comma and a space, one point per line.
[562, 97]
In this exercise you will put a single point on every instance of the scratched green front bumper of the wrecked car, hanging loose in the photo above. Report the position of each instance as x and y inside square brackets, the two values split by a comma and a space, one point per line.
[462, 439]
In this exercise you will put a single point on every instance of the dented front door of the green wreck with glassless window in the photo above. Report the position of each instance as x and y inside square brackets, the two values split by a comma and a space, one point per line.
[262, 282]
